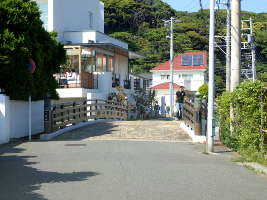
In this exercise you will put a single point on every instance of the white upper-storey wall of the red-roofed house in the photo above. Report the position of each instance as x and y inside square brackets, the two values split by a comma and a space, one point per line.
[197, 79]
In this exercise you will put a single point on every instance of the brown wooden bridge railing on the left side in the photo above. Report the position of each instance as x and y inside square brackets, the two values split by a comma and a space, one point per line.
[59, 115]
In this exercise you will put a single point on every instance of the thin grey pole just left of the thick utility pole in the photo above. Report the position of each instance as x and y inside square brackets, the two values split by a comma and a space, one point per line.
[228, 46]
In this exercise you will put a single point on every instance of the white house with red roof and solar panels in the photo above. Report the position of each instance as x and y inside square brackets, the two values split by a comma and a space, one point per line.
[189, 72]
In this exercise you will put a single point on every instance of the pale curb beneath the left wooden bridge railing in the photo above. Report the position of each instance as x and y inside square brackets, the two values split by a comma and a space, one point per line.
[70, 128]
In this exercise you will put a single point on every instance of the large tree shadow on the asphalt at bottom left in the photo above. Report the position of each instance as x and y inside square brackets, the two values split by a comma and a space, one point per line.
[20, 180]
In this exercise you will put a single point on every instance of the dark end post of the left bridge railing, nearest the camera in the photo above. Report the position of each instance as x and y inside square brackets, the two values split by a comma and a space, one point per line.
[48, 121]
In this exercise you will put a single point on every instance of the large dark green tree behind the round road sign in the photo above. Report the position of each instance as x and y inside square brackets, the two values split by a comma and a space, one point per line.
[22, 36]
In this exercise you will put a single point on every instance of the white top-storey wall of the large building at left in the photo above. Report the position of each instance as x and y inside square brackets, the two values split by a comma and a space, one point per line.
[73, 15]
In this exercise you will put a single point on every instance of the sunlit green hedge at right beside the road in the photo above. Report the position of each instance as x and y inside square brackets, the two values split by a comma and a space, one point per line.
[246, 126]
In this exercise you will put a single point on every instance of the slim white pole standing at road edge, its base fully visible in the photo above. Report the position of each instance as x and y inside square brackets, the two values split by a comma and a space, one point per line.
[210, 138]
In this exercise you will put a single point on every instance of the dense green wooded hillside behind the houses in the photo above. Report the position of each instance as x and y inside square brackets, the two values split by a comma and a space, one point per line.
[140, 23]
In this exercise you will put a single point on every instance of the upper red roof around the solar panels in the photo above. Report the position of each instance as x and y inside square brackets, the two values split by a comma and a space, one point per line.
[178, 63]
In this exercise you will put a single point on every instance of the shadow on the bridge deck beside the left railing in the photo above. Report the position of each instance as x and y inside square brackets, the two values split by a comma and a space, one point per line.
[89, 131]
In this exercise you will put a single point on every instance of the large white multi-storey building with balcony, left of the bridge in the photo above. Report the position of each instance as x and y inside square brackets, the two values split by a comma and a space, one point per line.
[99, 63]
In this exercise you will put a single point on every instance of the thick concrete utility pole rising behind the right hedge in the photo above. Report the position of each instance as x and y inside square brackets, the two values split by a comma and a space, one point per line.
[235, 45]
